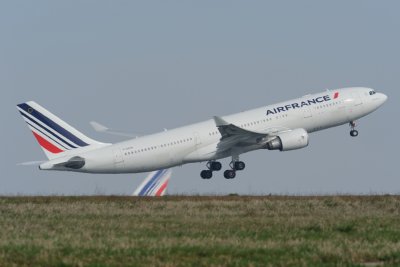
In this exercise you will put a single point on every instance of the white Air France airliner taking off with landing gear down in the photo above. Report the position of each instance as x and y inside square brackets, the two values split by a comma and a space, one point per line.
[283, 126]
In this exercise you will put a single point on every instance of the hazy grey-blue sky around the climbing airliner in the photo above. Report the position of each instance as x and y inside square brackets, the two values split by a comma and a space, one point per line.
[144, 66]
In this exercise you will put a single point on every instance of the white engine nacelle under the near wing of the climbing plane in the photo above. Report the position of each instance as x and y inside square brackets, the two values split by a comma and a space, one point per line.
[294, 139]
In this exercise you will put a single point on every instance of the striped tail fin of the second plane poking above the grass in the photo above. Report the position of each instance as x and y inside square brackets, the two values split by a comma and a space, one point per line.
[155, 184]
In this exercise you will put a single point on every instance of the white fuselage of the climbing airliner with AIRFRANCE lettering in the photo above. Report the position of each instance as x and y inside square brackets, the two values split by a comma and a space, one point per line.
[198, 142]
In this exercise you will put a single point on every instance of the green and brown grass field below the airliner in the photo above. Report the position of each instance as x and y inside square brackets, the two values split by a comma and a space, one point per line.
[200, 231]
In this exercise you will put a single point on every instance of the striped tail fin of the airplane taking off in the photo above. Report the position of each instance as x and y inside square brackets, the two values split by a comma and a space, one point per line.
[54, 135]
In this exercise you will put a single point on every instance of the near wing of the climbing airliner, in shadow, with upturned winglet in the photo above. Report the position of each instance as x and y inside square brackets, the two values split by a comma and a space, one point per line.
[233, 136]
